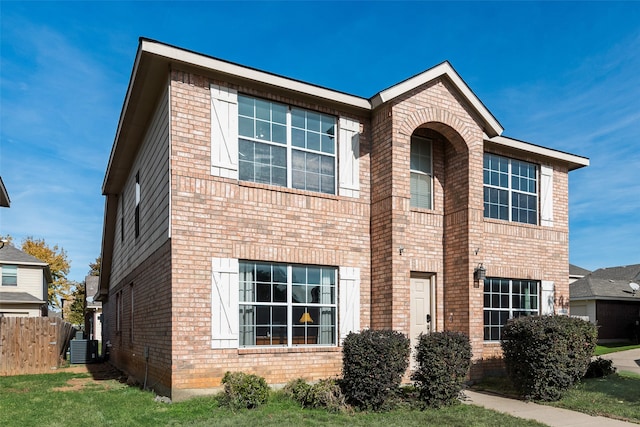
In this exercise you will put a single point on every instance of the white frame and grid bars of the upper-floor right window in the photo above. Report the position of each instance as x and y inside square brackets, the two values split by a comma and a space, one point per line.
[510, 190]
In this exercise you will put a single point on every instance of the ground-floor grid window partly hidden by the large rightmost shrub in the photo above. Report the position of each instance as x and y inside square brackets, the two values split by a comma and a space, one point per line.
[505, 299]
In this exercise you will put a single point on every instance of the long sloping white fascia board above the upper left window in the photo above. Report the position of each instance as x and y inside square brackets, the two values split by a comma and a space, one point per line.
[192, 58]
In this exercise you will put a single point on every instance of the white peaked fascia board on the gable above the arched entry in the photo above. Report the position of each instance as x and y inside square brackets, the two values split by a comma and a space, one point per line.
[444, 69]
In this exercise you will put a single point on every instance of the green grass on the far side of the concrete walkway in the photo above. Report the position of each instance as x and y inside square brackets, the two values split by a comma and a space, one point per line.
[616, 396]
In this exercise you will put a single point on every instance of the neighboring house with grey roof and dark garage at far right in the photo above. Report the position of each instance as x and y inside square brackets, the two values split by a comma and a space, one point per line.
[607, 298]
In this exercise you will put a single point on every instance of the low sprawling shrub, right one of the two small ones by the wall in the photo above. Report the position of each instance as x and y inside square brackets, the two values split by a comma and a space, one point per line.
[325, 394]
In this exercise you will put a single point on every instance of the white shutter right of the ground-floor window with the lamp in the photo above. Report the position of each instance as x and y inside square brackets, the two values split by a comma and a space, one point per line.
[349, 303]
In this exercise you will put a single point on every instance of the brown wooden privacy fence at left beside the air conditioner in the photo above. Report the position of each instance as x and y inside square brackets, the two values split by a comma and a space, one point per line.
[32, 345]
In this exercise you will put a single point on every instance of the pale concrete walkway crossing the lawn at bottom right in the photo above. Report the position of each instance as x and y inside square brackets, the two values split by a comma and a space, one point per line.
[542, 413]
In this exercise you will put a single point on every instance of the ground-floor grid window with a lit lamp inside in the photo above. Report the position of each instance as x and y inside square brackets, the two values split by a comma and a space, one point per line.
[287, 305]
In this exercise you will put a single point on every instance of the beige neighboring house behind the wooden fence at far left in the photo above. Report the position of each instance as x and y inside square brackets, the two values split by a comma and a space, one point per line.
[25, 283]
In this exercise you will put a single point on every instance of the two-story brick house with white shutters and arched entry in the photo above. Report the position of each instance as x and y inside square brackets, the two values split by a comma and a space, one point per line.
[252, 221]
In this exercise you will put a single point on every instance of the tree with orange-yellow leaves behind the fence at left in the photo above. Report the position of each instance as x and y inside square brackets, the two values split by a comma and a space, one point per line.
[58, 264]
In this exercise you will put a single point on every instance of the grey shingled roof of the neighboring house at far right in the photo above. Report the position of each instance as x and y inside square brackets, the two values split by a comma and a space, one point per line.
[607, 284]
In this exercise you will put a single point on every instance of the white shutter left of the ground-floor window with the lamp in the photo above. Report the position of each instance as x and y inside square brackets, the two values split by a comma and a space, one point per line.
[224, 303]
